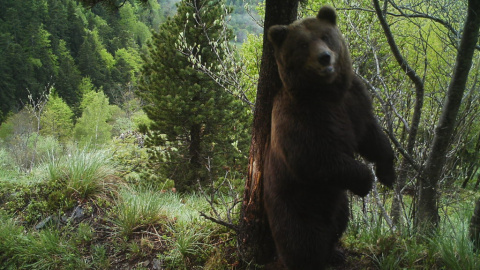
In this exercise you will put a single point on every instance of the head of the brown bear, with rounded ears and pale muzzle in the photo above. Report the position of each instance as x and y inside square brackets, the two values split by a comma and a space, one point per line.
[312, 53]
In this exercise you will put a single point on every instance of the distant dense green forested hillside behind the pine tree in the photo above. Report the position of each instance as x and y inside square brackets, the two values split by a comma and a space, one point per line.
[65, 45]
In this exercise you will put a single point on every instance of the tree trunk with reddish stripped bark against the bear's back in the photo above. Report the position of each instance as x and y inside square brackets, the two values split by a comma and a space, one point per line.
[254, 238]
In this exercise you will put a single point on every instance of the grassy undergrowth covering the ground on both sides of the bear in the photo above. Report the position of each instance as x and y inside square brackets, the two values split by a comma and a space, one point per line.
[98, 220]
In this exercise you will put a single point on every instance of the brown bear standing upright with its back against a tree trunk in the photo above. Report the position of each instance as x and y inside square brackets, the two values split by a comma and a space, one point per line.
[321, 118]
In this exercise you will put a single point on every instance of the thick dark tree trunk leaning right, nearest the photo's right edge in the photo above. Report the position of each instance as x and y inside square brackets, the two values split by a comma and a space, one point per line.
[427, 211]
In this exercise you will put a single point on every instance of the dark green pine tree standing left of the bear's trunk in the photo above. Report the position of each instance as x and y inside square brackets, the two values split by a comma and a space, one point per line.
[195, 122]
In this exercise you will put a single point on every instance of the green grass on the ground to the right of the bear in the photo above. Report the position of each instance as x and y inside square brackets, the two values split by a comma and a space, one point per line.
[449, 247]
